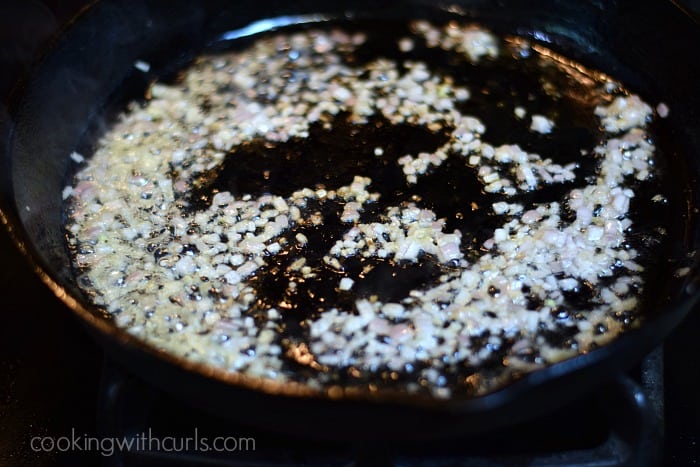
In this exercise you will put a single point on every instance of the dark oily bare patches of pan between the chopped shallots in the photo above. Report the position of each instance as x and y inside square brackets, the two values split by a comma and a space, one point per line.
[331, 158]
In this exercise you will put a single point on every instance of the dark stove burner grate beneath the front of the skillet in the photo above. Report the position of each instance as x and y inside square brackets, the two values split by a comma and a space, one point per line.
[620, 424]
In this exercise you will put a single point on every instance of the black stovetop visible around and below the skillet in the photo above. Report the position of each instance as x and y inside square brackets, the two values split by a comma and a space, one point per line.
[52, 373]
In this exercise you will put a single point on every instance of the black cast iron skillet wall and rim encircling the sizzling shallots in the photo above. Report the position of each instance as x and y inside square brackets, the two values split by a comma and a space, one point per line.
[650, 46]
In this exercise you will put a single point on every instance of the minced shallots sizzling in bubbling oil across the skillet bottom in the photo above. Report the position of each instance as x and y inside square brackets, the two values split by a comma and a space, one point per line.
[414, 206]
